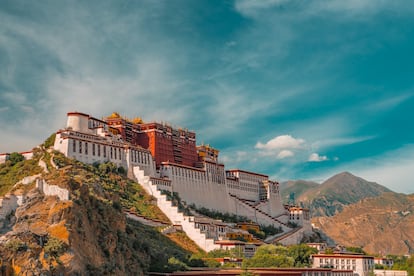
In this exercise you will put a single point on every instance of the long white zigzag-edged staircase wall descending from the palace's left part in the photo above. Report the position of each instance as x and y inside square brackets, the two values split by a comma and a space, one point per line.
[176, 217]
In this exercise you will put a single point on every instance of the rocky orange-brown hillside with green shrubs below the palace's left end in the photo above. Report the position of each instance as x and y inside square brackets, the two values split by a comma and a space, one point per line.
[87, 234]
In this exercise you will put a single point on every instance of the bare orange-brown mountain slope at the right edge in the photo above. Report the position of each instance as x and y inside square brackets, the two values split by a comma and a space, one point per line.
[383, 224]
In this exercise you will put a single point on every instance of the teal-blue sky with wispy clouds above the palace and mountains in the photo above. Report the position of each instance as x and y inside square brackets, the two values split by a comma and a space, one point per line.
[292, 89]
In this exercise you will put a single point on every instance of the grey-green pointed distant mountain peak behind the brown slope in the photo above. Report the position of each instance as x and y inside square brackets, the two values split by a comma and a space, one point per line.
[330, 197]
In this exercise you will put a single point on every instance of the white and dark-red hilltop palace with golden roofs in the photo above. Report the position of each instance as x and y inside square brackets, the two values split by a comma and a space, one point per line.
[171, 160]
